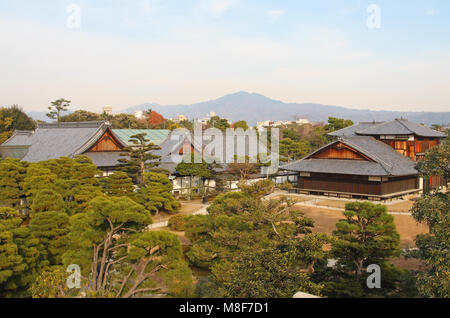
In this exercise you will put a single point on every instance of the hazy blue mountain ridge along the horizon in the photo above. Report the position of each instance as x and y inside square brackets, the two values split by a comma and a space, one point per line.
[254, 107]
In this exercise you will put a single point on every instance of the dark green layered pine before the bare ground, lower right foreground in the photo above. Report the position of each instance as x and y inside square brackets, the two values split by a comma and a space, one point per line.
[366, 236]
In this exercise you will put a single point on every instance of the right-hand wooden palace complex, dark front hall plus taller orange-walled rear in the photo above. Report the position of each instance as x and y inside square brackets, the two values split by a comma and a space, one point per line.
[368, 160]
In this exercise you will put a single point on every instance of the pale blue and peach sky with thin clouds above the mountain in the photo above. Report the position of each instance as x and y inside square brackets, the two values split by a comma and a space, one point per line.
[381, 55]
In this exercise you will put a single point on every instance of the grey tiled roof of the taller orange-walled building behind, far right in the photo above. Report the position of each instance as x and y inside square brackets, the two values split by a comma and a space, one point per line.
[395, 127]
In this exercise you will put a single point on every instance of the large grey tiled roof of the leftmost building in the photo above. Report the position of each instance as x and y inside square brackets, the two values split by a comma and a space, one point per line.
[50, 141]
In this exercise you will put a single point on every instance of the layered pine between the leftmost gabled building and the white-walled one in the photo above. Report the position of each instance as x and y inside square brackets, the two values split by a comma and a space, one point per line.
[139, 157]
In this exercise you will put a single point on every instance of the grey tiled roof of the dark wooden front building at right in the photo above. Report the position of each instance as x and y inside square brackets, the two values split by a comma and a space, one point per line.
[386, 161]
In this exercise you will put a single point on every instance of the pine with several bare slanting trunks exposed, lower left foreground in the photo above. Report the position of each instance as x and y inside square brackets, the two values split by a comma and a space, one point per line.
[95, 236]
